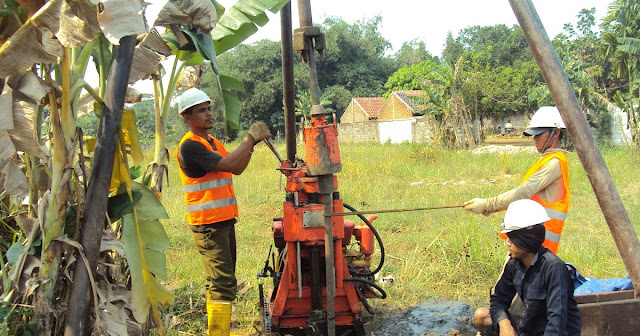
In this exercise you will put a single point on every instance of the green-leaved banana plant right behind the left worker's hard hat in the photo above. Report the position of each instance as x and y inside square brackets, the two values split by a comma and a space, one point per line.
[199, 30]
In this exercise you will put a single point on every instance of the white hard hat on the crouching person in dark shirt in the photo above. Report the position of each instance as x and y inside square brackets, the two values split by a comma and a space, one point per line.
[523, 213]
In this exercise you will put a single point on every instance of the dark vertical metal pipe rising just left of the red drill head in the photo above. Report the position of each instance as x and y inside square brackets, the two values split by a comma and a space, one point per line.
[288, 83]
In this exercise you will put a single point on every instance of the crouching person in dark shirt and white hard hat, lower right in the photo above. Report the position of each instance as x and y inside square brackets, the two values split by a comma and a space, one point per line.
[538, 277]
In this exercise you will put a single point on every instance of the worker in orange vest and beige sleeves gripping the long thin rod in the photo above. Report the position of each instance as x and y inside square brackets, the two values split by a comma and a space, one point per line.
[546, 181]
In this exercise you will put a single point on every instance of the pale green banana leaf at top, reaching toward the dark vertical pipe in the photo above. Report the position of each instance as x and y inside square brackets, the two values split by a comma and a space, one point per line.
[239, 22]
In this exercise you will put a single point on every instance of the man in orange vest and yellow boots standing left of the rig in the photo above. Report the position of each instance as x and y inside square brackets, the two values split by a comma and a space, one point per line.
[206, 170]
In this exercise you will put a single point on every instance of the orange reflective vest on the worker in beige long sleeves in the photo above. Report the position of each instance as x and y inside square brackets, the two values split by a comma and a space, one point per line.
[557, 211]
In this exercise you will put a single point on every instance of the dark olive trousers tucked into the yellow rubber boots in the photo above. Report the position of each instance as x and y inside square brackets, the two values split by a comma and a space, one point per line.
[217, 247]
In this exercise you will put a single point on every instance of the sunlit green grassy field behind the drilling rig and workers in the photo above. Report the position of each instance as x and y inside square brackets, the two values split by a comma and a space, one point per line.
[451, 253]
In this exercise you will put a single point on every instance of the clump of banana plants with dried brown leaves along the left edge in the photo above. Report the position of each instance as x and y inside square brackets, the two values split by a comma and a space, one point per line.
[42, 64]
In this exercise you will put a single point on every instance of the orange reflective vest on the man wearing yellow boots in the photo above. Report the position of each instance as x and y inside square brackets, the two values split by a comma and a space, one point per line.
[210, 198]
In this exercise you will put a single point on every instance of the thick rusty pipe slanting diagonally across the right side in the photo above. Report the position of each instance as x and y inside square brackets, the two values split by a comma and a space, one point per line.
[563, 95]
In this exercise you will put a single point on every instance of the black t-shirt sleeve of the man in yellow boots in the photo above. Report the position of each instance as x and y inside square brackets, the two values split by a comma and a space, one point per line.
[196, 160]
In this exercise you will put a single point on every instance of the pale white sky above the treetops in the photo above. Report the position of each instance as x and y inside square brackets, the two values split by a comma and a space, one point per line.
[423, 20]
